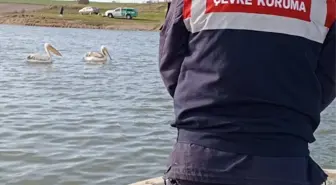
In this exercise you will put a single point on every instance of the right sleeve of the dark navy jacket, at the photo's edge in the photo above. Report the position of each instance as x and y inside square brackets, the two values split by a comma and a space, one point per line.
[326, 69]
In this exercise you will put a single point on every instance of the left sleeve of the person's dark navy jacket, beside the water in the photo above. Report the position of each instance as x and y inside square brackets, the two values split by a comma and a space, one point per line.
[173, 45]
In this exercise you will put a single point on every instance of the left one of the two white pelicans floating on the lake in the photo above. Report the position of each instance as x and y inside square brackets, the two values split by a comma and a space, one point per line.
[38, 58]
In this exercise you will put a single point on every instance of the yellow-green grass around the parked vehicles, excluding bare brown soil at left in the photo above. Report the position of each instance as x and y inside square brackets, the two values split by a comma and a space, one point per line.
[151, 15]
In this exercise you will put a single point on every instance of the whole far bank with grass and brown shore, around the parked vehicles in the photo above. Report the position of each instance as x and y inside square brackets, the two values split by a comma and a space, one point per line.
[46, 13]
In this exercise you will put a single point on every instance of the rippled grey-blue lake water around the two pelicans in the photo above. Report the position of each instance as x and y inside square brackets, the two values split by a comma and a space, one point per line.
[72, 123]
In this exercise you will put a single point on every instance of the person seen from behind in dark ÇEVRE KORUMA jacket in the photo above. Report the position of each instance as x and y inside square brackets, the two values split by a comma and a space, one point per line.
[249, 80]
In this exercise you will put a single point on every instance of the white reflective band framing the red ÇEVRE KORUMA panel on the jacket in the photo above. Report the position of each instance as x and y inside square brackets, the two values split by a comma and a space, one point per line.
[314, 29]
